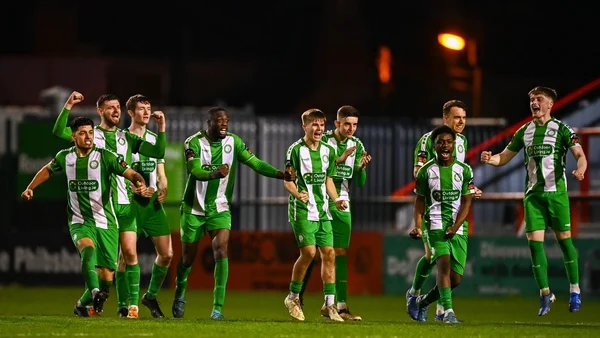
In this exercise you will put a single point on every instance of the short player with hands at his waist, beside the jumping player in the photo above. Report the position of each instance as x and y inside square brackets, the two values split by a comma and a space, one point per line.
[444, 190]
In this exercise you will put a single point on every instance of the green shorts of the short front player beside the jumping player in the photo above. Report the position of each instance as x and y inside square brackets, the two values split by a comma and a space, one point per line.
[455, 247]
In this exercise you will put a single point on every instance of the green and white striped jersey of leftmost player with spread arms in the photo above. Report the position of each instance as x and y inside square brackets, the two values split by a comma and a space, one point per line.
[89, 185]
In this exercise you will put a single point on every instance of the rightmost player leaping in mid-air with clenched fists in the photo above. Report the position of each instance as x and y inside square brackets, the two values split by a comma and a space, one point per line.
[545, 141]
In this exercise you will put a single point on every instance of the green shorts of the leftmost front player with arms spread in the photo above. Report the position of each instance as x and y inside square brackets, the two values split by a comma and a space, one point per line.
[106, 242]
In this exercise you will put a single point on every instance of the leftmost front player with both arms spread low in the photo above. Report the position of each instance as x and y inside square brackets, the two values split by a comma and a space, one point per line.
[93, 225]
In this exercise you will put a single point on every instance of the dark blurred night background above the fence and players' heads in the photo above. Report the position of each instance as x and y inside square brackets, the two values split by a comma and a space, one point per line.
[285, 56]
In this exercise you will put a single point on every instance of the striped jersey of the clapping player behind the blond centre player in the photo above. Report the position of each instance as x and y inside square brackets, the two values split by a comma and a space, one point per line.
[345, 171]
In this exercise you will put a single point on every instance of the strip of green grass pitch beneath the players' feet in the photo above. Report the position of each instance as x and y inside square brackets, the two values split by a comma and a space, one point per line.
[47, 312]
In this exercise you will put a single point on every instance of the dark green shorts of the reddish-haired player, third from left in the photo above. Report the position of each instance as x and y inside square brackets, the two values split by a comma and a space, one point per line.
[151, 218]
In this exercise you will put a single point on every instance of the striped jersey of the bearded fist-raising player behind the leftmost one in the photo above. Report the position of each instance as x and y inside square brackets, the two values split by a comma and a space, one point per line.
[124, 144]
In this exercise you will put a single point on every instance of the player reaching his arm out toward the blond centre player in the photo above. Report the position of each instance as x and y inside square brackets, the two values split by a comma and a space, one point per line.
[212, 159]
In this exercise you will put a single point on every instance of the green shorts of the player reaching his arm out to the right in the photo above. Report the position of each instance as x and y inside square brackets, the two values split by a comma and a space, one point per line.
[192, 227]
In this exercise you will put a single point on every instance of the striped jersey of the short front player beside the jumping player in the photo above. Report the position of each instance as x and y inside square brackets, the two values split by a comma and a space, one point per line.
[443, 188]
